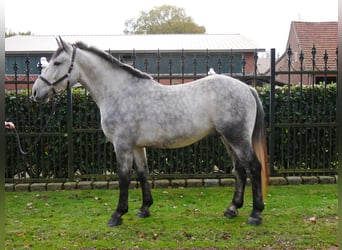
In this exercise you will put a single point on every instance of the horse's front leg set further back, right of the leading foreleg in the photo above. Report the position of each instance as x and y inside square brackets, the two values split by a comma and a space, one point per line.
[142, 171]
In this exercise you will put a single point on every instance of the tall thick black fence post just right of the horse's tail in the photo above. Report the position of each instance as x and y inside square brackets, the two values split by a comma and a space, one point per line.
[271, 116]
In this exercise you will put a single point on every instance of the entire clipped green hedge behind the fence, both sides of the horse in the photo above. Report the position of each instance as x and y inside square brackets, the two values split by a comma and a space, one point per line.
[305, 137]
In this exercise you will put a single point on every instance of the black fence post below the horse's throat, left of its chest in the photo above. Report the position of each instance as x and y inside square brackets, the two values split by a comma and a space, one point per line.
[70, 136]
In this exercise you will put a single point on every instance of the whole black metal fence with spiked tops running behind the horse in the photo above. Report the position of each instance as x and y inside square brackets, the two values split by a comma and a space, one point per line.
[301, 132]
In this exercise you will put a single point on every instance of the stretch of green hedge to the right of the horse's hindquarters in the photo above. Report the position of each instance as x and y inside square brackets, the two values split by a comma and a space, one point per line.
[305, 133]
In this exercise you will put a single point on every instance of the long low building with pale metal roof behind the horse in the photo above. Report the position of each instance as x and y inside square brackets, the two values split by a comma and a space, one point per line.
[155, 54]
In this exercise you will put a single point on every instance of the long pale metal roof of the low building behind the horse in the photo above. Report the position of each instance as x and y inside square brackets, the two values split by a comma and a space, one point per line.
[141, 43]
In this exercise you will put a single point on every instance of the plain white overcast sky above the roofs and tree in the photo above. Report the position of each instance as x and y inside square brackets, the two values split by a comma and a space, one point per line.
[267, 22]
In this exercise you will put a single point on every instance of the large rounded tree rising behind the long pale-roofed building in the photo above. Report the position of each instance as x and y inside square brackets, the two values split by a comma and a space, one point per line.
[166, 19]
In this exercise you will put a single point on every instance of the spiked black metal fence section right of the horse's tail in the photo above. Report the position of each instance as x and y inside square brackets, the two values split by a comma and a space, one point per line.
[306, 127]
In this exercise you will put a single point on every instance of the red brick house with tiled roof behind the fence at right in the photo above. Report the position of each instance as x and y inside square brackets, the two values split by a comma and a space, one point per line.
[306, 39]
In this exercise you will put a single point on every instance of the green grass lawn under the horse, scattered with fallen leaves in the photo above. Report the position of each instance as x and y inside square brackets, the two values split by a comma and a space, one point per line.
[295, 217]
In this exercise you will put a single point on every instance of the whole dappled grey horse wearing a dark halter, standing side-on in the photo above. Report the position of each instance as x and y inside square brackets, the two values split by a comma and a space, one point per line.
[138, 112]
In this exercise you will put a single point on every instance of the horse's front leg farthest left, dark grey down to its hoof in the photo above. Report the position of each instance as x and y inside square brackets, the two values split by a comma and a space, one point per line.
[125, 161]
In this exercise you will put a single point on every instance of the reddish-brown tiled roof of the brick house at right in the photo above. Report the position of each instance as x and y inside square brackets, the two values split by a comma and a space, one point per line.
[322, 35]
